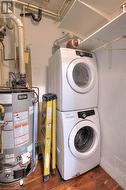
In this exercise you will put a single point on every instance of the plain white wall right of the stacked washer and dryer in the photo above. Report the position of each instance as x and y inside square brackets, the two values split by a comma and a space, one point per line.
[112, 110]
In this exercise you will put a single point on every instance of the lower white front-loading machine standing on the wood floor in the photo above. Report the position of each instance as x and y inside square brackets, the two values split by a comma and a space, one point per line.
[78, 142]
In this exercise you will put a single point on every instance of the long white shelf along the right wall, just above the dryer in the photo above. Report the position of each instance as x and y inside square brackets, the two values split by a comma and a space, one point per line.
[111, 31]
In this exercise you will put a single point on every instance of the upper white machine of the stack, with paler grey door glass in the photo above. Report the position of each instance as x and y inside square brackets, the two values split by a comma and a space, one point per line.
[72, 75]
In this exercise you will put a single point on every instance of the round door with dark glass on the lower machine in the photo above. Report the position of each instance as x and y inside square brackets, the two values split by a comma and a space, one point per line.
[84, 139]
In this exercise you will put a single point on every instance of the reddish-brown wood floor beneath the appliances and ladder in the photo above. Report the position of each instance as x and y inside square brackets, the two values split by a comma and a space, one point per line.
[96, 179]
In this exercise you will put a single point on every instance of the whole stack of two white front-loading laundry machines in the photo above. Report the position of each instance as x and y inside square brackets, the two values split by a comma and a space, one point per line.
[73, 76]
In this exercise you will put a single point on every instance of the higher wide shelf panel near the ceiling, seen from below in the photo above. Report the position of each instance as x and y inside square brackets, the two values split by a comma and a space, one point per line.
[83, 20]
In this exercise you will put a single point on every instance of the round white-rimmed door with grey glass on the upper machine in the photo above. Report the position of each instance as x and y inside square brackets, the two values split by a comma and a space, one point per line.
[81, 75]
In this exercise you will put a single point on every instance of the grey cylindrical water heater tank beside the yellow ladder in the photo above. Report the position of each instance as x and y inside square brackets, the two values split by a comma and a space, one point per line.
[16, 134]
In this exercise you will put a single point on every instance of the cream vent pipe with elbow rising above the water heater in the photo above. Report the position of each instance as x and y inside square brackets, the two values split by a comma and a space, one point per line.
[20, 30]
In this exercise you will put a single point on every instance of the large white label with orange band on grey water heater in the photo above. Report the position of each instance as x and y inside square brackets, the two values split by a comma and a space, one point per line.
[21, 128]
